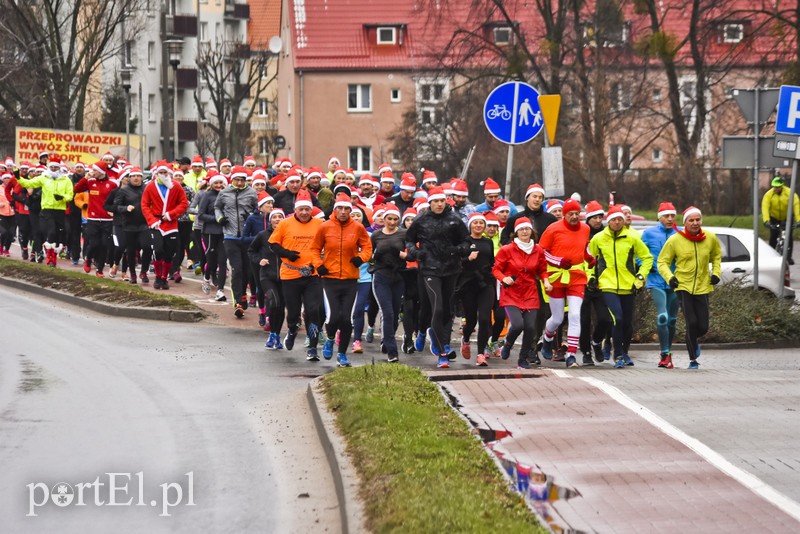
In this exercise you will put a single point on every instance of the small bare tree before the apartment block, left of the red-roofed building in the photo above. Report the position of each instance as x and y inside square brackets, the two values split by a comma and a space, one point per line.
[235, 76]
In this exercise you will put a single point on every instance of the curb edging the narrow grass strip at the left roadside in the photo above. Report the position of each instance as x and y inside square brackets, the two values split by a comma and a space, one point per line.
[156, 314]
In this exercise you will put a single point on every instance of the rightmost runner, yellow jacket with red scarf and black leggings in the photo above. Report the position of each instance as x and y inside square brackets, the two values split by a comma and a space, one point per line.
[692, 250]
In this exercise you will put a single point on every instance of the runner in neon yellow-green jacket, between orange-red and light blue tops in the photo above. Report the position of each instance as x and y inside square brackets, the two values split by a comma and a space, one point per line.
[617, 251]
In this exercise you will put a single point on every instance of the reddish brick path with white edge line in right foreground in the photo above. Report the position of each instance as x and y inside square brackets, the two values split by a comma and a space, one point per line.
[631, 471]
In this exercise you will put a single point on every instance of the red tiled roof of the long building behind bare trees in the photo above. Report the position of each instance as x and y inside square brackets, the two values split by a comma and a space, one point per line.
[340, 34]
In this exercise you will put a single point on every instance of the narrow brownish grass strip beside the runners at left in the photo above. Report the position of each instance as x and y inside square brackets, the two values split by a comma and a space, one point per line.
[91, 287]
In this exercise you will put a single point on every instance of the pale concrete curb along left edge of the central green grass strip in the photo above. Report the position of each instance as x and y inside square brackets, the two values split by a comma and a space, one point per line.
[344, 474]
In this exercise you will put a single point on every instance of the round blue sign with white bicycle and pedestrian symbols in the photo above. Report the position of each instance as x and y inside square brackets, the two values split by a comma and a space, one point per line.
[512, 113]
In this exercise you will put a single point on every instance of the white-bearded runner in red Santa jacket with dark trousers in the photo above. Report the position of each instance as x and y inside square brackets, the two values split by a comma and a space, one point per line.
[162, 204]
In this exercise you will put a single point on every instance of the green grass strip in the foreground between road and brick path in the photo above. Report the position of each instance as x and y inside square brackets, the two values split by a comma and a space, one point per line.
[421, 469]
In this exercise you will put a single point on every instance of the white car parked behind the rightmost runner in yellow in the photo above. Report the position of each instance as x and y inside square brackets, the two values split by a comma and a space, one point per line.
[737, 261]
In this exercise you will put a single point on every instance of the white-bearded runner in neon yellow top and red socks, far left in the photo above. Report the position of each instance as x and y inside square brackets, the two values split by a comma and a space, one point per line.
[57, 192]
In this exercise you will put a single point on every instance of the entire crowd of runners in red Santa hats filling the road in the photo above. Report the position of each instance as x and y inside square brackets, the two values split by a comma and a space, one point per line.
[333, 252]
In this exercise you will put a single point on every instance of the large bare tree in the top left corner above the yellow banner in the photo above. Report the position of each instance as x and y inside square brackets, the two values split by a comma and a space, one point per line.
[59, 45]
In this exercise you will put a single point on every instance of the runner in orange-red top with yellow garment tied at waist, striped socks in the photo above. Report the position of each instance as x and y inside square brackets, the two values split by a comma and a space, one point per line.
[565, 245]
